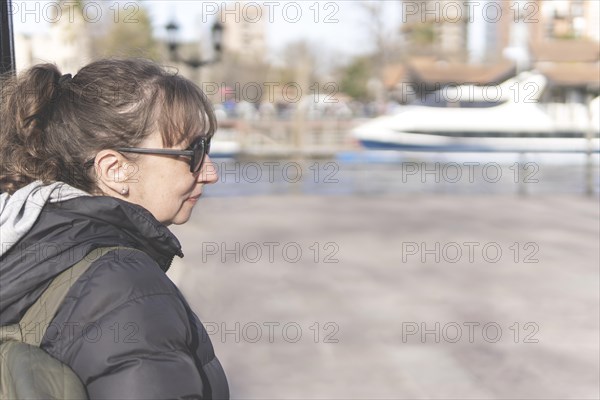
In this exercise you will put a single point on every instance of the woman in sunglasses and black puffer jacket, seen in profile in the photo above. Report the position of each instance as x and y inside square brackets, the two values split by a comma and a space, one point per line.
[108, 157]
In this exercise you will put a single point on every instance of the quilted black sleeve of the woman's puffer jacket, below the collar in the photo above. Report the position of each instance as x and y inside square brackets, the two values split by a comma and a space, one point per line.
[125, 330]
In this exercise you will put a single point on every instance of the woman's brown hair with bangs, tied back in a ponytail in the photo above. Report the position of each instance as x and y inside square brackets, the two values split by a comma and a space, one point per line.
[53, 123]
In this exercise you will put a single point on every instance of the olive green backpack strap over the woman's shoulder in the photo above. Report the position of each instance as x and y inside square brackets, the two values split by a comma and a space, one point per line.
[36, 320]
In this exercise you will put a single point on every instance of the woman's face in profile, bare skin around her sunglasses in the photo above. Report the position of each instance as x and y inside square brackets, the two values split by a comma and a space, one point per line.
[164, 185]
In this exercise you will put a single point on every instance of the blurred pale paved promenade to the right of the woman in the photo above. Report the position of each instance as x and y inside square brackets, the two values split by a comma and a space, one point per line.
[398, 297]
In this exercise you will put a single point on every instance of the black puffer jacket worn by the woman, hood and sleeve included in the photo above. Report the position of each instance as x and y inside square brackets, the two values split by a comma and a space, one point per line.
[124, 327]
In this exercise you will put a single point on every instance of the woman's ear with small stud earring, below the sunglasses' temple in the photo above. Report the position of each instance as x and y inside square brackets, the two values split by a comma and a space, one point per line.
[113, 173]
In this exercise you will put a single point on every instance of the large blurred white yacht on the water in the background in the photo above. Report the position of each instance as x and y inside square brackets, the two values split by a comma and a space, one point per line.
[504, 118]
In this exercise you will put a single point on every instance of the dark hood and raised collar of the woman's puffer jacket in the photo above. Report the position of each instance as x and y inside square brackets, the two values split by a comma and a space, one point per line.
[64, 232]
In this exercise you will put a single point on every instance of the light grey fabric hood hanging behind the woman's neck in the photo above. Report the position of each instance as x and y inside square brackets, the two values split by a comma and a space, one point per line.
[19, 212]
